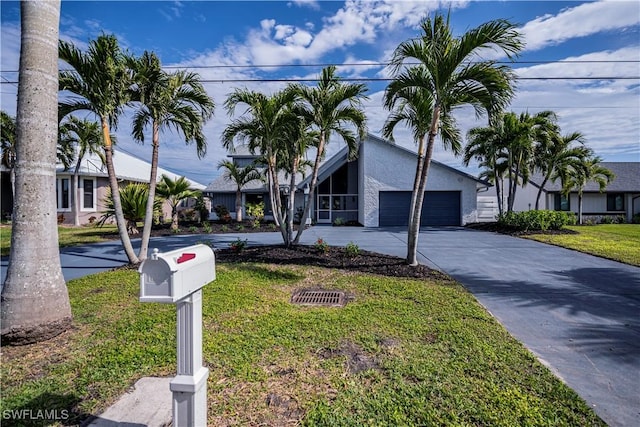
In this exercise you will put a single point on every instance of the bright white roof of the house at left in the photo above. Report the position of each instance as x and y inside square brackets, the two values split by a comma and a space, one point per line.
[127, 167]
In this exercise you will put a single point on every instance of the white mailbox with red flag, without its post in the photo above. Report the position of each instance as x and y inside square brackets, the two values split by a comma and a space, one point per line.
[171, 276]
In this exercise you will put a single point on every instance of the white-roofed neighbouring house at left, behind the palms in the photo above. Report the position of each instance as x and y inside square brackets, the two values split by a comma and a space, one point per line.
[94, 183]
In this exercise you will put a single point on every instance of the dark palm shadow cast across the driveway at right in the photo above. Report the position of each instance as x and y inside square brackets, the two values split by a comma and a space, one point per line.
[600, 306]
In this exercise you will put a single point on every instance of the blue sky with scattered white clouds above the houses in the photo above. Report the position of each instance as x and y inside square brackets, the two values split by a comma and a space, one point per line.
[581, 59]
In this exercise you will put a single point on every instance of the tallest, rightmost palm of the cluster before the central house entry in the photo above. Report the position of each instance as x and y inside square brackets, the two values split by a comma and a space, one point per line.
[331, 107]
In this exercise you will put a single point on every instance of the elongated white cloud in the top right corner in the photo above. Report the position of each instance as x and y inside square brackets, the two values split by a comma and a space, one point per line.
[583, 20]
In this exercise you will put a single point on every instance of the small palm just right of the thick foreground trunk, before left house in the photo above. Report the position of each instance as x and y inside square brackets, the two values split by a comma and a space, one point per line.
[86, 138]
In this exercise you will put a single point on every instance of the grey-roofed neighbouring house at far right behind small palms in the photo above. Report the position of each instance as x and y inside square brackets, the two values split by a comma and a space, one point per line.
[620, 198]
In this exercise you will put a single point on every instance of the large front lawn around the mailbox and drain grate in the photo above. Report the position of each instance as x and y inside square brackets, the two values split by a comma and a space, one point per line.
[402, 352]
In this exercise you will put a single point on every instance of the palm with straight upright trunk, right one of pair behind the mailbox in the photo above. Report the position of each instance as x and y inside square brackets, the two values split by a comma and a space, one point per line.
[166, 101]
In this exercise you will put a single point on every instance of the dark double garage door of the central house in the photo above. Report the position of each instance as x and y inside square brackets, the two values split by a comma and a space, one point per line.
[438, 208]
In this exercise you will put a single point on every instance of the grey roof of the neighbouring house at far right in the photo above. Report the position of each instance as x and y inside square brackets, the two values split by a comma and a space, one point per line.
[627, 179]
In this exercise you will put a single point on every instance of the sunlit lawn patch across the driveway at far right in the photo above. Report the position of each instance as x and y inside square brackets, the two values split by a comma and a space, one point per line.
[619, 242]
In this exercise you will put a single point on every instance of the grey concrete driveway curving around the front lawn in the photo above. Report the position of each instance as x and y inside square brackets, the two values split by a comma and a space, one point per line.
[579, 314]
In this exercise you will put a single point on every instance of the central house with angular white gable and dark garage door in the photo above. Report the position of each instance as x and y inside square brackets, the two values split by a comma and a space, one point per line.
[373, 190]
